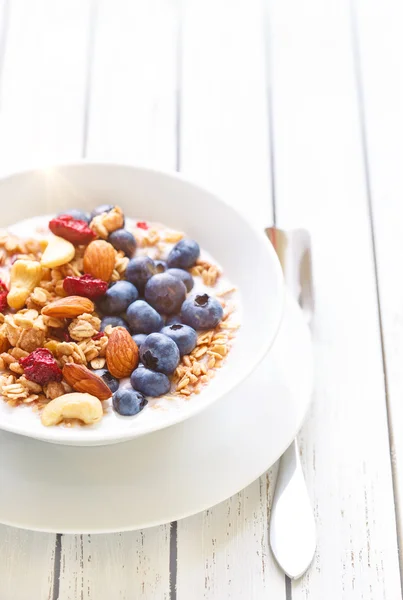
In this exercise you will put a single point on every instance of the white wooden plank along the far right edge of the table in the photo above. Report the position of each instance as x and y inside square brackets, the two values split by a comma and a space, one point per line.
[380, 51]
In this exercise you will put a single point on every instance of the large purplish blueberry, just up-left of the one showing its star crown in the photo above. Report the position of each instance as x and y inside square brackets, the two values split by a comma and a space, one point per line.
[165, 293]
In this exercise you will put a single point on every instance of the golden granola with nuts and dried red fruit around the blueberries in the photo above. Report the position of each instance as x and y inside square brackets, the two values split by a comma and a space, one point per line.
[53, 268]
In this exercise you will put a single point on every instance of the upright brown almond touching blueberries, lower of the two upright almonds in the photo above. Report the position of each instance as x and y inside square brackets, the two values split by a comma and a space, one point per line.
[122, 353]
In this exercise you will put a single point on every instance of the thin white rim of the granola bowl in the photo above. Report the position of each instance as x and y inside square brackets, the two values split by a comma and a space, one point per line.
[50, 434]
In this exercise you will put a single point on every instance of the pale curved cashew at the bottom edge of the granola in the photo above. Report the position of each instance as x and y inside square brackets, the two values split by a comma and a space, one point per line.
[84, 407]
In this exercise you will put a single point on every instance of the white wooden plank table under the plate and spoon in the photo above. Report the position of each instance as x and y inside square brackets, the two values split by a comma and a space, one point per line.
[293, 110]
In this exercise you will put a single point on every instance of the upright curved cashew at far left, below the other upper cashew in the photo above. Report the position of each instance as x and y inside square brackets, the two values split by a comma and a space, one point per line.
[24, 277]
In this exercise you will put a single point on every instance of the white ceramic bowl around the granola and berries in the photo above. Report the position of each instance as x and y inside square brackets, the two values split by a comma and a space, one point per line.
[245, 254]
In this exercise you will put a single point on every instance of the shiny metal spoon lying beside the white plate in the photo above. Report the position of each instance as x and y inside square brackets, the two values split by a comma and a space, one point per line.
[292, 524]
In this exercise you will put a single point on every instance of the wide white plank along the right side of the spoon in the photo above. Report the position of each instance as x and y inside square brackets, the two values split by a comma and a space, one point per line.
[321, 185]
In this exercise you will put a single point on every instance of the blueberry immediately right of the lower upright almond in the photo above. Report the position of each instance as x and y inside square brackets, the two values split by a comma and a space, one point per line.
[160, 353]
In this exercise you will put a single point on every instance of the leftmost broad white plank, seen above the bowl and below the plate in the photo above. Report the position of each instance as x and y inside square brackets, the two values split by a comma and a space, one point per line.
[41, 107]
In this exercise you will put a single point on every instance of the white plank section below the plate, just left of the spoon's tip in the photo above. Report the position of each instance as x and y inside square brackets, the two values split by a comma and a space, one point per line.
[224, 552]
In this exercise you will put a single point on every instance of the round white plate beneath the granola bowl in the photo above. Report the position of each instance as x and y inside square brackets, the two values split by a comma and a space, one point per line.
[171, 473]
